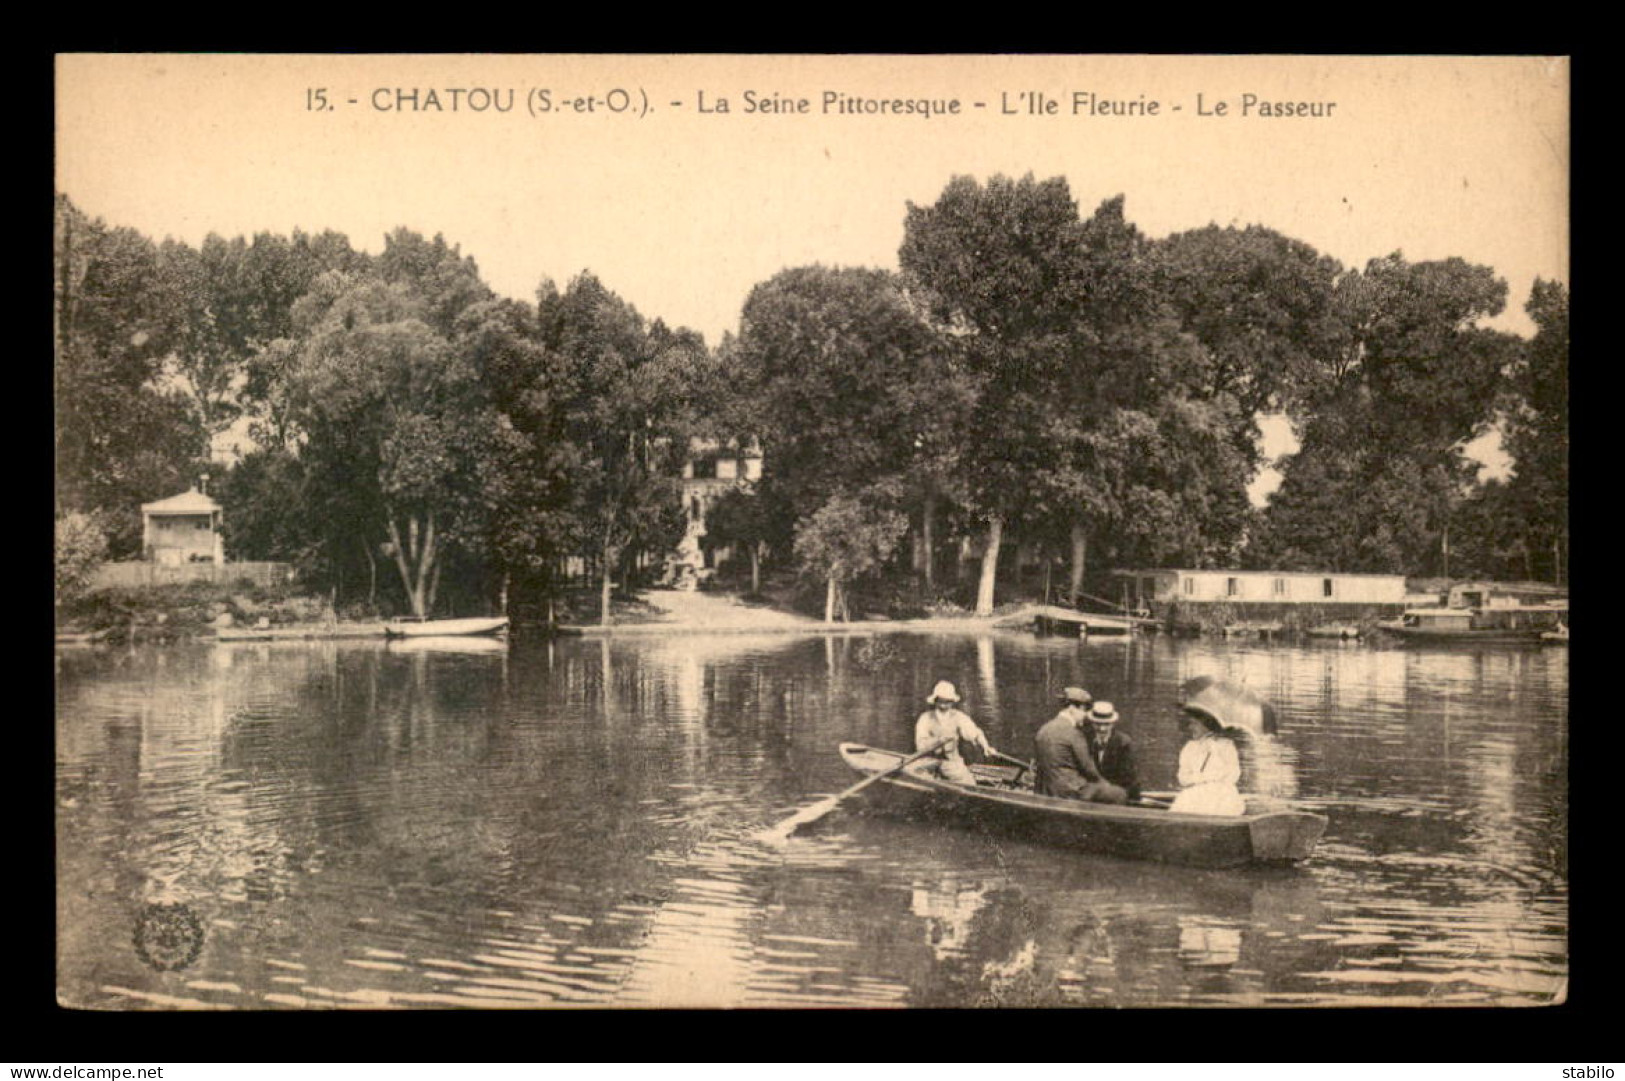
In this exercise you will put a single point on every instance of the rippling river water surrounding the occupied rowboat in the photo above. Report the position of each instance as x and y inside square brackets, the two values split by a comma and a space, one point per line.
[313, 827]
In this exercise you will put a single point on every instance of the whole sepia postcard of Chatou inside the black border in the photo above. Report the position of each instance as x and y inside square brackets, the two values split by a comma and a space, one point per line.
[800, 532]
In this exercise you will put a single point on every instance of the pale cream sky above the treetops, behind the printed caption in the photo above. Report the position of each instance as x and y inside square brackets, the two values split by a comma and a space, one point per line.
[685, 181]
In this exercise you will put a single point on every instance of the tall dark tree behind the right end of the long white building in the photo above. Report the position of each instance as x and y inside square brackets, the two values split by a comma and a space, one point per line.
[1410, 381]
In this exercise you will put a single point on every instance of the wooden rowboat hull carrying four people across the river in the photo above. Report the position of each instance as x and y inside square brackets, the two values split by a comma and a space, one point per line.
[1143, 831]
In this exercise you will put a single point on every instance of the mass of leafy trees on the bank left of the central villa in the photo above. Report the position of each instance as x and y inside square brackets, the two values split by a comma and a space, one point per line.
[412, 432]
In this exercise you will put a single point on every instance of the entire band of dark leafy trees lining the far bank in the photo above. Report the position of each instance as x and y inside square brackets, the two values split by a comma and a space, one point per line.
[1029, 378]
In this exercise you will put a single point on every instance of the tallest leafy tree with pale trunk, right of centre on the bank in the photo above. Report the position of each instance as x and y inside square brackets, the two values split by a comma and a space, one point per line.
[1099, 419]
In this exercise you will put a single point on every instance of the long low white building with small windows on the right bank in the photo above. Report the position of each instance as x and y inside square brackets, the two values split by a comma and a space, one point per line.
[1263, 588]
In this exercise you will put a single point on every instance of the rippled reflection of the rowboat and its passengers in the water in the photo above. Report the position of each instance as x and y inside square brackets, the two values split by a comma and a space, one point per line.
[979, 921]
